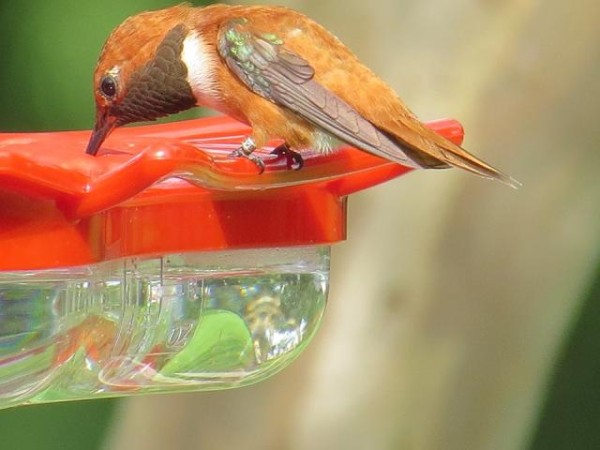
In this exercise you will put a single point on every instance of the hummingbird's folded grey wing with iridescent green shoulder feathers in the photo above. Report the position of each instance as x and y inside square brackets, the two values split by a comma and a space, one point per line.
[271, 70]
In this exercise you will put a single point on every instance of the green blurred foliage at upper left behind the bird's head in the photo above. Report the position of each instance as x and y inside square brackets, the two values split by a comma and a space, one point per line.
[49, 51]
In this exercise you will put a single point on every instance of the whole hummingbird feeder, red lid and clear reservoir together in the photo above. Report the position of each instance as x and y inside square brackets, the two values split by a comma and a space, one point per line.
[163, 264]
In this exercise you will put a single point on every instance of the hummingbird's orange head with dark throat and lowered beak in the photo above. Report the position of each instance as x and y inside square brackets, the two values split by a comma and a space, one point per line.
[140, 75]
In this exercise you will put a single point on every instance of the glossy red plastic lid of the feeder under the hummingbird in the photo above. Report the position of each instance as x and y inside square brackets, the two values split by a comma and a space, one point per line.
[169, 188]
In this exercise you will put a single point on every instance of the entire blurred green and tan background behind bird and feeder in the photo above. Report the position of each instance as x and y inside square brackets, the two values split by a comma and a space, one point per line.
[537, 104]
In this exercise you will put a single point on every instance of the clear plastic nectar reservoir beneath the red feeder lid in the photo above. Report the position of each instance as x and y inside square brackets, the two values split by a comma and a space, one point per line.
[177, 322]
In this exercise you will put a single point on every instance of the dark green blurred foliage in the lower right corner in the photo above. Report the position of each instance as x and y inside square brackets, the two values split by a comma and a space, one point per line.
[569, 418]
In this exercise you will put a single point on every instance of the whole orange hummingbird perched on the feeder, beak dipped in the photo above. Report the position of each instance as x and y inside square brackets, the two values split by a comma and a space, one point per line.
[271, 67]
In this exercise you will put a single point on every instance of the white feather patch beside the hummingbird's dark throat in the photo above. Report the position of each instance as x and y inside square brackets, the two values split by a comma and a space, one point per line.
[201, 64]
